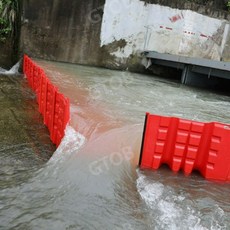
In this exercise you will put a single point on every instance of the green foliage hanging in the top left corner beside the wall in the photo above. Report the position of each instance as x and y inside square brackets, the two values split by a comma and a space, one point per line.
[8, 18]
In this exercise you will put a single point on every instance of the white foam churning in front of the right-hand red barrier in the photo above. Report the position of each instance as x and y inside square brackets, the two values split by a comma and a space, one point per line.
[168, 208]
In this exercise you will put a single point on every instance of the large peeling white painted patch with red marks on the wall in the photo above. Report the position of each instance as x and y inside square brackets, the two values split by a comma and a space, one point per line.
[162, 29]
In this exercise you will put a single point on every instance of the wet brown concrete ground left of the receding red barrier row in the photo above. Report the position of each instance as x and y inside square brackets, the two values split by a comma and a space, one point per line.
[24, 140]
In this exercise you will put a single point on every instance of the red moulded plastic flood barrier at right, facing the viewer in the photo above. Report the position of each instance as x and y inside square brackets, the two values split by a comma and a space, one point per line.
[186, 145]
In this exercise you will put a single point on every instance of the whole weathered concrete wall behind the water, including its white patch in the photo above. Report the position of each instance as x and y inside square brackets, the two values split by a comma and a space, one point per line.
[112, 33]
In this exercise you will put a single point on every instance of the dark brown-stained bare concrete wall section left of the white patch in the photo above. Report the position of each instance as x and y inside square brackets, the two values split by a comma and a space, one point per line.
[67, 31]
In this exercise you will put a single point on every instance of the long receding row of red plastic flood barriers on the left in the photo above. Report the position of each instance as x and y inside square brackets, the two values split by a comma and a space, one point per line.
[54, 106]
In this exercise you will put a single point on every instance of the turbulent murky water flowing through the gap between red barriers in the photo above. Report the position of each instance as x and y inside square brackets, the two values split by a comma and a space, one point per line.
[92, 180]
